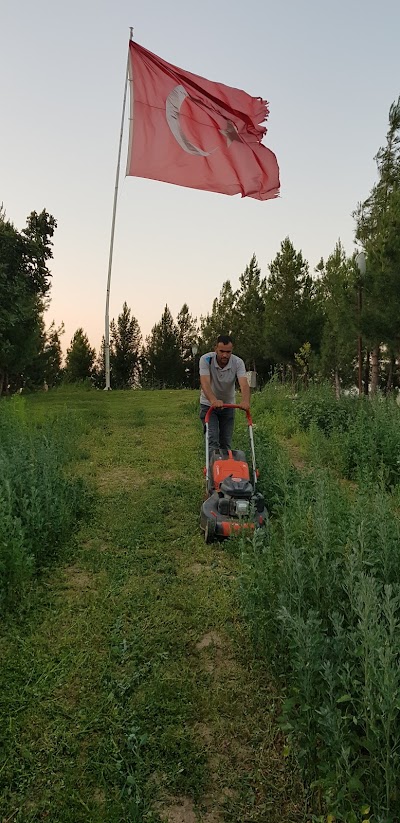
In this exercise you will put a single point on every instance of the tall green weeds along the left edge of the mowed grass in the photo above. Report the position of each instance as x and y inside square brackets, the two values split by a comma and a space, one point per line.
[39, 502]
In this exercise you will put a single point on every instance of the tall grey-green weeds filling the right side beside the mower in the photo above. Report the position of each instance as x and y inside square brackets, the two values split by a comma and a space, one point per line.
[321, 590]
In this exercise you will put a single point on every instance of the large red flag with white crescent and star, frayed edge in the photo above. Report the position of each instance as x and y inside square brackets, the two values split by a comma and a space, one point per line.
[192, 132]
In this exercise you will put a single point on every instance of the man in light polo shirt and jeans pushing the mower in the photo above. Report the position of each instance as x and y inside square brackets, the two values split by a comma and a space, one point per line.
[218, 372]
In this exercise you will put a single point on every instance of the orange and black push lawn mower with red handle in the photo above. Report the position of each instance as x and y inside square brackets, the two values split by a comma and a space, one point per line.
[232, 503]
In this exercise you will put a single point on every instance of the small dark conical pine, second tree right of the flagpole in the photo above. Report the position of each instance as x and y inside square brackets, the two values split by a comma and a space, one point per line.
[162, 365]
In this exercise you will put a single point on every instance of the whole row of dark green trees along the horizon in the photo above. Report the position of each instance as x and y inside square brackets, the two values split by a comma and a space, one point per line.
[339, 322]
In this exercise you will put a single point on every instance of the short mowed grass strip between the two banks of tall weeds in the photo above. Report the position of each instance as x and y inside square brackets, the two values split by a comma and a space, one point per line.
[128, 689]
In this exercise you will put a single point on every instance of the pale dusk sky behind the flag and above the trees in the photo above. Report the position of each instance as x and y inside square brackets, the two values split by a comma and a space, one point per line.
[329, 71]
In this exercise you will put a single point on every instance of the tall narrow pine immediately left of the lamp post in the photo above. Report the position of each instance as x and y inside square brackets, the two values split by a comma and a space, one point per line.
[338, 301]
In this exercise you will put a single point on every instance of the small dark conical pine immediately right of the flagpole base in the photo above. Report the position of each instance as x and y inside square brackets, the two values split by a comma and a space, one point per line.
[126, 341]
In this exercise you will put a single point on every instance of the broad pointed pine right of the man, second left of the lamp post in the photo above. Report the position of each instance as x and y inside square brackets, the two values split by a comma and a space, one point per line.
[293, 317]
